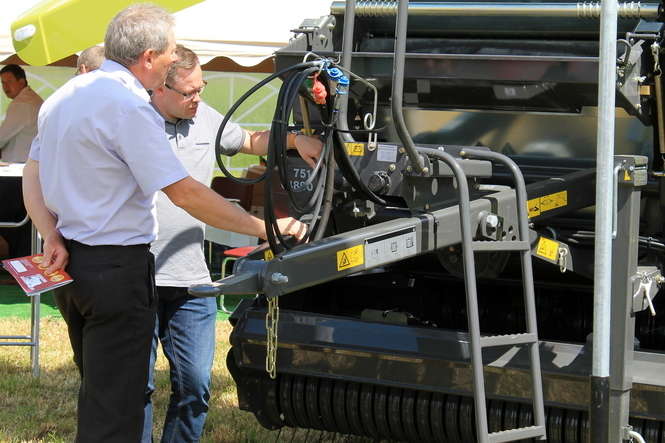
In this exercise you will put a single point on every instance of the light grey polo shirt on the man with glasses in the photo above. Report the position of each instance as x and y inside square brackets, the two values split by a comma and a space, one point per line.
[178, 250]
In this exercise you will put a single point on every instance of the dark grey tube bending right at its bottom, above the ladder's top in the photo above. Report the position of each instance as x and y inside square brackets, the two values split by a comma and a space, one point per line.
[398, 87]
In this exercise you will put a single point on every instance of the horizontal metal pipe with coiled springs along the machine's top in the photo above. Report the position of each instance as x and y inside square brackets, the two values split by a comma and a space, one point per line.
[585, 10]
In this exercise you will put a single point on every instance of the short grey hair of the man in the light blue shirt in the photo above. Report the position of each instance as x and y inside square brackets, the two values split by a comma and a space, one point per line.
[136, 29]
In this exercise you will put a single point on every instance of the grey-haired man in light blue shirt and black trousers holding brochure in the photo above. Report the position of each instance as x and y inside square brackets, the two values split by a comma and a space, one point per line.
[89, 186]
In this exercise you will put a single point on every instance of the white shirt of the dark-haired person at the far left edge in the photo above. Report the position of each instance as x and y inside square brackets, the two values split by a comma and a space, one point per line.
[20, 126]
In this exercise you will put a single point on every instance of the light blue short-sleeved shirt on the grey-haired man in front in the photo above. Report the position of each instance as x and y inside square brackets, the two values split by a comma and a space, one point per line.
[103, 155]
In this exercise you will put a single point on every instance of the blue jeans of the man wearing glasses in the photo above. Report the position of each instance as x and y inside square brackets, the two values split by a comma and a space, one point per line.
[186, 328]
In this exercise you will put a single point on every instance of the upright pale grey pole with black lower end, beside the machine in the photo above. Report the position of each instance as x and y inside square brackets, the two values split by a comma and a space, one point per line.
[600, 370]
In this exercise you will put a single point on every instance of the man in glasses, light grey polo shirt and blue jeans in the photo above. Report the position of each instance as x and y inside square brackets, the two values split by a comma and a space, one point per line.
[185, 324]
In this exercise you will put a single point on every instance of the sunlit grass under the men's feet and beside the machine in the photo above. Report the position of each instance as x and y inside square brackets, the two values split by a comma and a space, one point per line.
[44, 409]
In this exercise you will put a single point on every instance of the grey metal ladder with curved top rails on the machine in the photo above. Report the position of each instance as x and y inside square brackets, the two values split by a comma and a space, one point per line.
[478, 342]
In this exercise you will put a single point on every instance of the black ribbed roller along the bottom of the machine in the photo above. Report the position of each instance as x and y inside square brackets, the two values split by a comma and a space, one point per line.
[396, 414]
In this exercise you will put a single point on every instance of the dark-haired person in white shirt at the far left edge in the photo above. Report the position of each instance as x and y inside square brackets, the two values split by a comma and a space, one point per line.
[20, 124]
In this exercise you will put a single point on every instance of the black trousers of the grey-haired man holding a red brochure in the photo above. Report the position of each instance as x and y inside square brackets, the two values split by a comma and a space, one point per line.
[110, 313]
